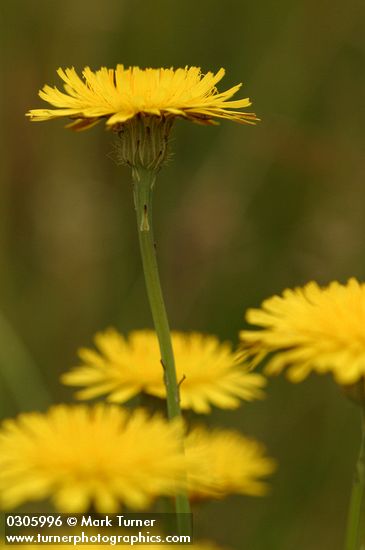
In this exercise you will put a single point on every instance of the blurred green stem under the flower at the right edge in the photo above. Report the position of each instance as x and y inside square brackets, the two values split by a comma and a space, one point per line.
[355, 536]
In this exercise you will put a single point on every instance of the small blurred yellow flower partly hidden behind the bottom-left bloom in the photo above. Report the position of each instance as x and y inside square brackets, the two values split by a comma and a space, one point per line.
[225, 462]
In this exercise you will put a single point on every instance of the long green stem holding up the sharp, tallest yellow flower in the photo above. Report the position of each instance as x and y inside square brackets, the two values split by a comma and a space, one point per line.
[143, 188]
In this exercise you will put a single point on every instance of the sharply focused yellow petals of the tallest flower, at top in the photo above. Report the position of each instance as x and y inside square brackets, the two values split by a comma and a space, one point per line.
[120, 94]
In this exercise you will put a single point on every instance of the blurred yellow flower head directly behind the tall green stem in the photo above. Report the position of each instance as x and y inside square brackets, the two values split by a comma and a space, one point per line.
[209, 371]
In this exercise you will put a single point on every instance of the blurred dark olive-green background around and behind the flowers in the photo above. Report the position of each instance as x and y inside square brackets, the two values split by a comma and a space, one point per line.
[241, 213]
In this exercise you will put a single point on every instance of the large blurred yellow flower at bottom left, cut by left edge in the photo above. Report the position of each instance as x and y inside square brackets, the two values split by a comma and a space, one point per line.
[80, 456]
